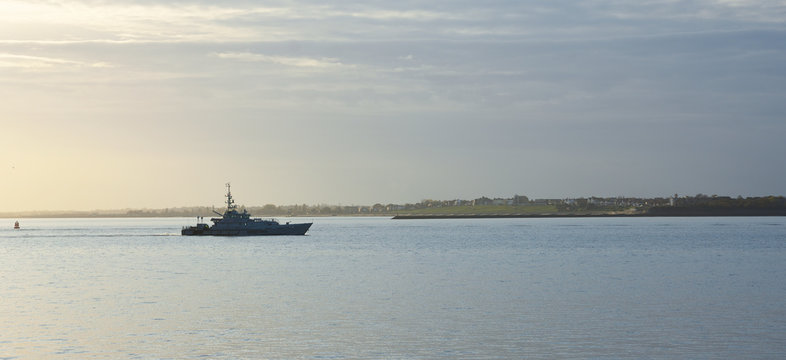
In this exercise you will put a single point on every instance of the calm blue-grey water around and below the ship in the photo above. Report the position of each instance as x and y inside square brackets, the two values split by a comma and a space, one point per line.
[376, 288]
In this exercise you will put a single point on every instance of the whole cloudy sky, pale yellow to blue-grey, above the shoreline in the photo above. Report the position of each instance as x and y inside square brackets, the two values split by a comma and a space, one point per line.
[152, 104]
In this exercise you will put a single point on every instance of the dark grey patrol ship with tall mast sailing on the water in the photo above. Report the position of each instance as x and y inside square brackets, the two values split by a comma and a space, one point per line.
[235, 223]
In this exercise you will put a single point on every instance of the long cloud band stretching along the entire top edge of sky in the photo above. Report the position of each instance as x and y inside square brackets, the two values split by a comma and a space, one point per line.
[133, 22]
